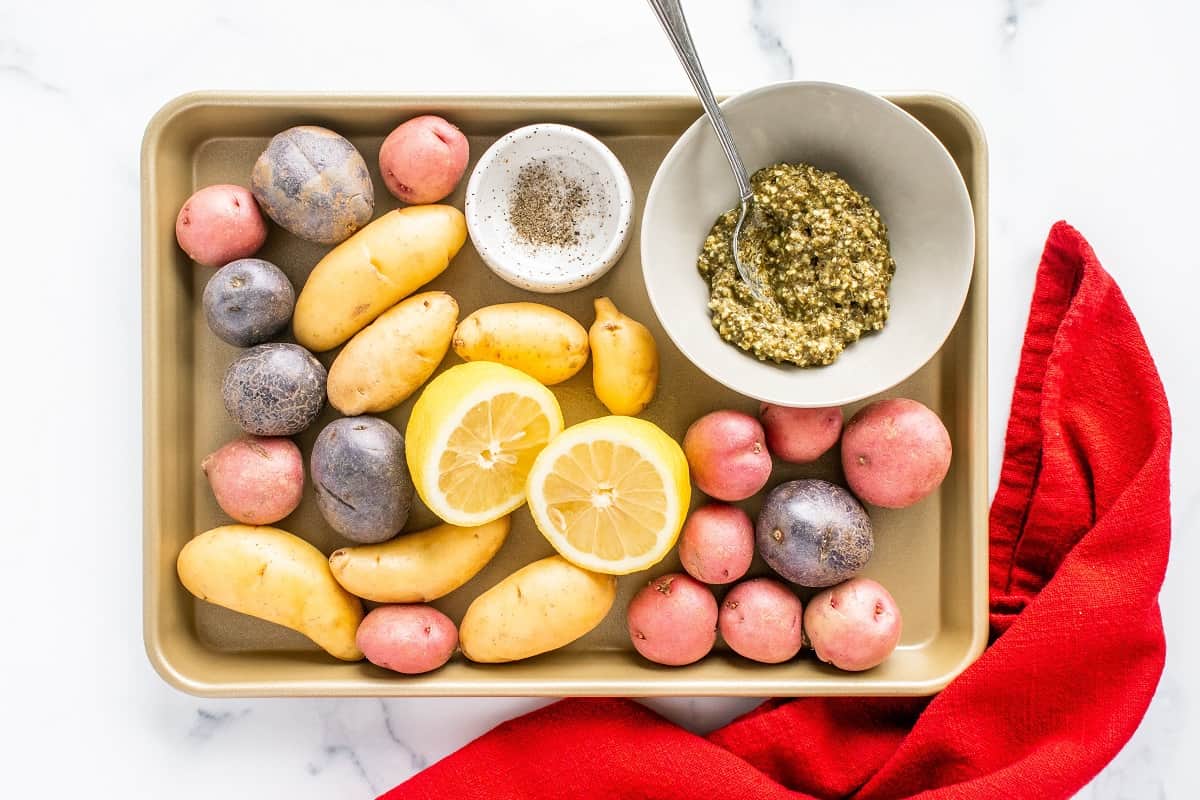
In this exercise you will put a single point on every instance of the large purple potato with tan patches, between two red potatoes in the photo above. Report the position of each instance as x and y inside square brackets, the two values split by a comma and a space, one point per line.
[315, 184]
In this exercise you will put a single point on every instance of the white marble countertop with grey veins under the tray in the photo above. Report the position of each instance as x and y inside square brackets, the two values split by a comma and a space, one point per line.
[1091, 117]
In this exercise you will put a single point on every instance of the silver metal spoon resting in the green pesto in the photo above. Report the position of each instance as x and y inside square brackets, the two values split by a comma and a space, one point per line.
[671, 16]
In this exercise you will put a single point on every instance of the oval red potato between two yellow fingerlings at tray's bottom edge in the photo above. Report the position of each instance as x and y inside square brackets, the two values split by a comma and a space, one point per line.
[409, 640]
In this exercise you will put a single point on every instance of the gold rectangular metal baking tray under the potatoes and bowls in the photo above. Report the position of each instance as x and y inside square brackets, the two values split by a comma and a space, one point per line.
[933, 557]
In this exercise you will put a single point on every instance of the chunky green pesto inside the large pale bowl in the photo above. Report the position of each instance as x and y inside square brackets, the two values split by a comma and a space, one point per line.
[821, 254]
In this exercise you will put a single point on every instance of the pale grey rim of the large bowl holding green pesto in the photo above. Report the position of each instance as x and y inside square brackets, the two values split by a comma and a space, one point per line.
[662, 305]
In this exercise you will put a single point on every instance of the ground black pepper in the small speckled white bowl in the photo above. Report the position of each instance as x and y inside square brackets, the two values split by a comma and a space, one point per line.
[547, 206]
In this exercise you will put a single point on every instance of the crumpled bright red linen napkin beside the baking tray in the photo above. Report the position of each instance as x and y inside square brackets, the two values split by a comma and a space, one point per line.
[1081, 528]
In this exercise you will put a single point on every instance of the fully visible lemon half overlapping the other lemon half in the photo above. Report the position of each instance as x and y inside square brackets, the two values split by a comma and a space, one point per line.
[611, 495]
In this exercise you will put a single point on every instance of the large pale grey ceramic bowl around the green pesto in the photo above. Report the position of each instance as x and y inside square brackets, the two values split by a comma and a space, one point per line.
[885, 154]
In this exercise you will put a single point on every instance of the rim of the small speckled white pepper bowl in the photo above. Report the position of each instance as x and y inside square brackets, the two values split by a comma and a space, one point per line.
[604, 260]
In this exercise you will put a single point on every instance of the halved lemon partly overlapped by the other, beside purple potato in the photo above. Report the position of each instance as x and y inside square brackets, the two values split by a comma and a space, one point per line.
[472, 438]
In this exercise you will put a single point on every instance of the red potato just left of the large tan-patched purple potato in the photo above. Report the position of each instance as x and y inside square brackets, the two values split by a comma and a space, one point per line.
[220, 225]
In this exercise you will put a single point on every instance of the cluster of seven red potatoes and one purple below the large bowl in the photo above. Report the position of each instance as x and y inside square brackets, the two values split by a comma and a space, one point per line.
[812, 533]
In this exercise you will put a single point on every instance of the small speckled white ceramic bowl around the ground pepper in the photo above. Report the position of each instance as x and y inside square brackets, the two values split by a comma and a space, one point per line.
[605, 228]
